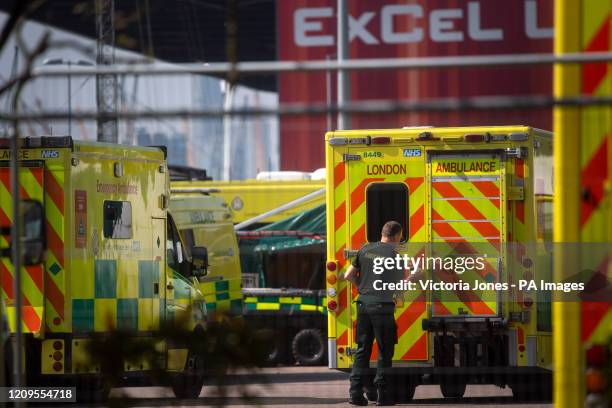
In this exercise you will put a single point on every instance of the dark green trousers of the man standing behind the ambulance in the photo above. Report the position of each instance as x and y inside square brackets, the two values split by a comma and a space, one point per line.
[374, 321]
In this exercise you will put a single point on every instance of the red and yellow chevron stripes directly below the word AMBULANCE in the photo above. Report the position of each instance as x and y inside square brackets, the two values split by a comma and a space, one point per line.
[466, 212]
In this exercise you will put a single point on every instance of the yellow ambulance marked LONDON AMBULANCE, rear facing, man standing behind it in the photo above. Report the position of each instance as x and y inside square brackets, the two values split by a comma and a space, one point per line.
[484, 191]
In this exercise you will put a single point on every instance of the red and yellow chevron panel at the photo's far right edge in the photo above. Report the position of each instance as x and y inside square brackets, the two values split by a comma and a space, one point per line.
[596, 122]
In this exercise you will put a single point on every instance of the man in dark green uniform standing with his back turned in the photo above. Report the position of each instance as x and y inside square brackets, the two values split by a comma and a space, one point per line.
[375, 319]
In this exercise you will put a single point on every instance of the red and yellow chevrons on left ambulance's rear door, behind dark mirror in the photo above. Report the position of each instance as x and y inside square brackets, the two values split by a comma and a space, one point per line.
[30, 187]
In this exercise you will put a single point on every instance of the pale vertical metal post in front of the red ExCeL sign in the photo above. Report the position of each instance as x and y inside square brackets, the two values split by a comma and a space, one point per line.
[344, 92]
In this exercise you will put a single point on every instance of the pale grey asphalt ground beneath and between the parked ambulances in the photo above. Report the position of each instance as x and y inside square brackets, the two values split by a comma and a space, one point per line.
[303, 387]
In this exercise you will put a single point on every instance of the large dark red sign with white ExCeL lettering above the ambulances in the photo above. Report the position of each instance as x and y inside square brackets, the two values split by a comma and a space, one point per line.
[406, 29]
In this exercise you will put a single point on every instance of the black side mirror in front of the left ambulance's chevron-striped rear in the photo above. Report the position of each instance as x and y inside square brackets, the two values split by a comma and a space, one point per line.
[33, 232]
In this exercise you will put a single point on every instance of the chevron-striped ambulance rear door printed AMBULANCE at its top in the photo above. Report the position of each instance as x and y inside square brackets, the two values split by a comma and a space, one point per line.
[466, 215]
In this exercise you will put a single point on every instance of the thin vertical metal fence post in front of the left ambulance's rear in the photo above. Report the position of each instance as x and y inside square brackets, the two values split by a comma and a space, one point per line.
[16, 256]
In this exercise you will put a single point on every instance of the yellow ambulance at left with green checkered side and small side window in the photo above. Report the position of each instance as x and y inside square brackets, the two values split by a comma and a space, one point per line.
[112, 259]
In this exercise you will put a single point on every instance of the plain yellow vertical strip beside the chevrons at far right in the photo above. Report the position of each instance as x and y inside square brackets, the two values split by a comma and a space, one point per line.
[567, 353]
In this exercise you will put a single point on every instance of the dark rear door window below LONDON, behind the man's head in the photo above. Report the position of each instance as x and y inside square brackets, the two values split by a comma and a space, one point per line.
[386, 202]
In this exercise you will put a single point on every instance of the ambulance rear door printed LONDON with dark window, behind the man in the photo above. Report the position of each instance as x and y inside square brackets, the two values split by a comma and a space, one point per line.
[386, 183]
